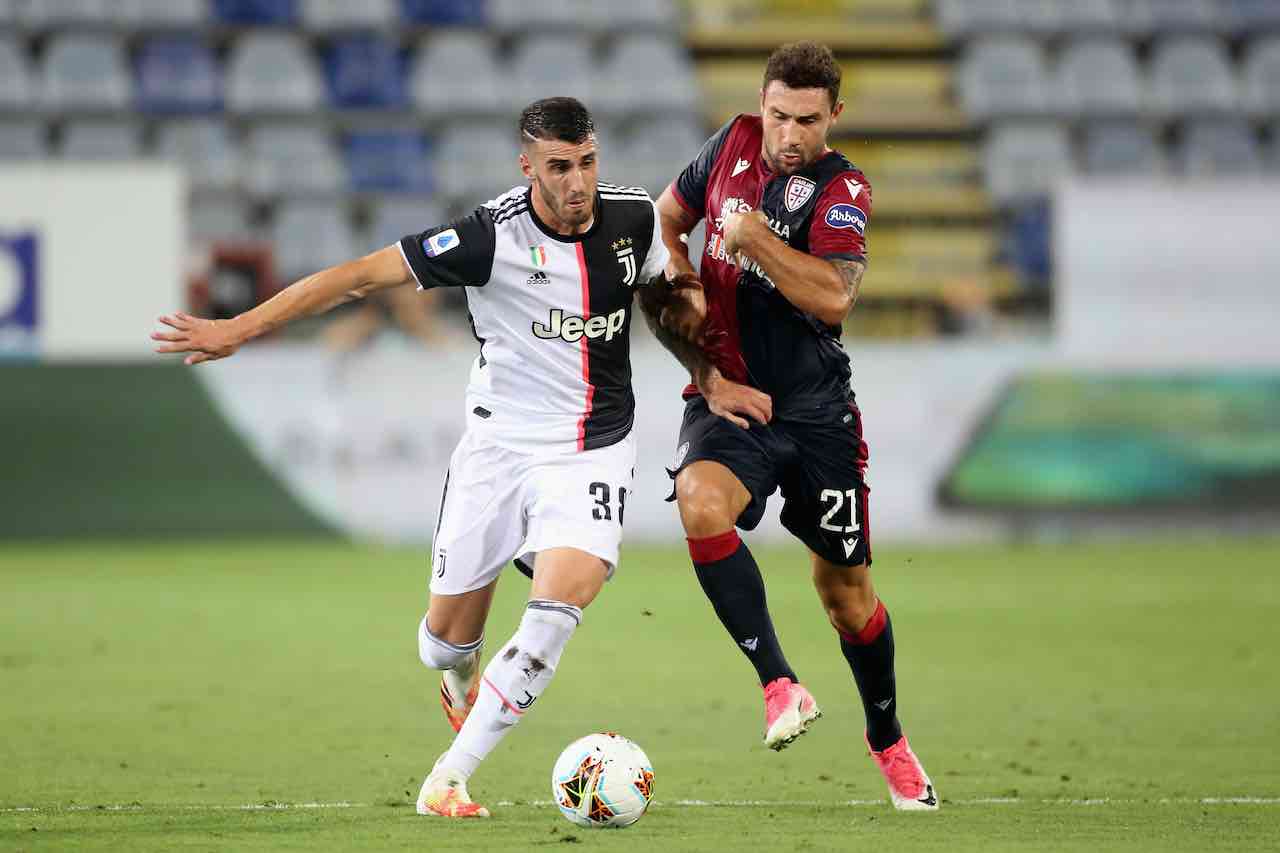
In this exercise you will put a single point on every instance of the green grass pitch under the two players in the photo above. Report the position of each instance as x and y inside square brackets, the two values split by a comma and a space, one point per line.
[1096, 697]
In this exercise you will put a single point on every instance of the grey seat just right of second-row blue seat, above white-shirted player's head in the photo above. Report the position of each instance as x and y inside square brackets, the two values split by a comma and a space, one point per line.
[459, 75]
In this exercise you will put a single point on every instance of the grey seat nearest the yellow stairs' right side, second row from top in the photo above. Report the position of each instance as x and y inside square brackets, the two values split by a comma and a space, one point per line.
[1004, 77]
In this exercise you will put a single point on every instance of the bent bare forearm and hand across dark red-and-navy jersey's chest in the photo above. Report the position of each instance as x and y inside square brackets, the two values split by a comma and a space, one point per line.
[824, 289]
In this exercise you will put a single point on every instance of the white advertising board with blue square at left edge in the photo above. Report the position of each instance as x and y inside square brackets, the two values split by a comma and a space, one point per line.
[88, 254]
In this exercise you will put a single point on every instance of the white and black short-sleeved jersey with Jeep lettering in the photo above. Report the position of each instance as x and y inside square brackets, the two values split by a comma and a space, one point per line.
[552, 314]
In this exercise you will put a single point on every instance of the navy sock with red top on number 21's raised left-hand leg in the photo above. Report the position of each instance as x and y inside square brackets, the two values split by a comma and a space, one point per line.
[733, 582]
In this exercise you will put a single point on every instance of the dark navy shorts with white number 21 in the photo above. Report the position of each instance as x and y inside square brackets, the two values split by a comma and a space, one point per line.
[820, 463]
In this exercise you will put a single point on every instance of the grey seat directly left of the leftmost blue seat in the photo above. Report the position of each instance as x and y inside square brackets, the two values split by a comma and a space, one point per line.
[85, 72]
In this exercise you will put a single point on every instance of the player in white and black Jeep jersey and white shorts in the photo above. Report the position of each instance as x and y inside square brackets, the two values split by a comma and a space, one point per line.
[543, 471]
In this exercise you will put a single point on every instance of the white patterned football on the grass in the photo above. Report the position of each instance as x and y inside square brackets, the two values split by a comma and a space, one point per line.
[604, 781]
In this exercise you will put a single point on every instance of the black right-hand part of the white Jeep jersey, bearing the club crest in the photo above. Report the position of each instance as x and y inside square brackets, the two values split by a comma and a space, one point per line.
[623, 225]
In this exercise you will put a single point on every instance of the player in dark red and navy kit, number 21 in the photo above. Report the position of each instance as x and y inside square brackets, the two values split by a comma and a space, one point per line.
[785, 256]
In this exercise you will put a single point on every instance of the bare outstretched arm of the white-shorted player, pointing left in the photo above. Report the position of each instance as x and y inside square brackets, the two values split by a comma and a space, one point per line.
[212, 340]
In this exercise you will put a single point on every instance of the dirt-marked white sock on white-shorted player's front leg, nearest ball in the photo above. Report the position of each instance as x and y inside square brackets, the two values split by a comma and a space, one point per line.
[514, 681]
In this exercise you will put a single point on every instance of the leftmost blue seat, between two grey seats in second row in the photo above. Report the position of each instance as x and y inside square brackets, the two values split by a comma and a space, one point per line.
[179, 75]
